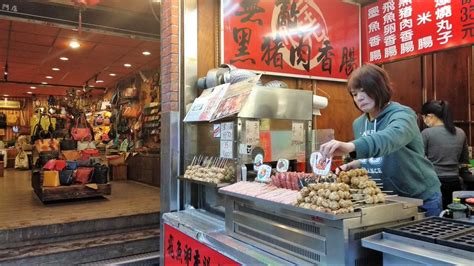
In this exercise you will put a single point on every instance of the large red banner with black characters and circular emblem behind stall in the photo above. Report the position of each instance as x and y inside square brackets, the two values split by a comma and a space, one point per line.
[309, 39]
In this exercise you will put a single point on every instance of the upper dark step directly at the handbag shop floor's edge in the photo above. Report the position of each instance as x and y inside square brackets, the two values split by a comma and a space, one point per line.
[44, 234]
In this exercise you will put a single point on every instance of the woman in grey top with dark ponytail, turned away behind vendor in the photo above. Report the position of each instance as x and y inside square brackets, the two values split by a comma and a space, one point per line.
[445, 146]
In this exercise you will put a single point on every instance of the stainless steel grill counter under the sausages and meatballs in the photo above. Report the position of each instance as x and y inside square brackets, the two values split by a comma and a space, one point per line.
[310, 236]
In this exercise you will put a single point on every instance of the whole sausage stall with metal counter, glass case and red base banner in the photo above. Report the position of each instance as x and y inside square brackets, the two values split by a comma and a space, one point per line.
[230, 223]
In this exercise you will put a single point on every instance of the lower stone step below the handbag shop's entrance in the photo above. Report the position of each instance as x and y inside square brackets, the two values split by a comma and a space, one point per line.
[84, 250]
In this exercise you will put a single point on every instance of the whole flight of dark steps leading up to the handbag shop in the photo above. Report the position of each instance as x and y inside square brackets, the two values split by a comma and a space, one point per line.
[132, 238]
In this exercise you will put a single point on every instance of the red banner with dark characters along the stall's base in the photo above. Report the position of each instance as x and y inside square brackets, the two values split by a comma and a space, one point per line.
[181, 249]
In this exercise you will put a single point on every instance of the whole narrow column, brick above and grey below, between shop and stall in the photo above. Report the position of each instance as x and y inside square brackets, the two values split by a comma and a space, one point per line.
[170, 114]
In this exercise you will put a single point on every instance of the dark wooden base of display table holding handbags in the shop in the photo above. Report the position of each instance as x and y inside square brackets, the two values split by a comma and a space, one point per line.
[66, 192]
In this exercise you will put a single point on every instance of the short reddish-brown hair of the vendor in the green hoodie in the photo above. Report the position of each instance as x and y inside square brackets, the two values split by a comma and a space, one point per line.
[374, 81]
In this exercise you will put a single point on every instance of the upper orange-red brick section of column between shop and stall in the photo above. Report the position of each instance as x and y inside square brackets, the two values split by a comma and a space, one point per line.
[170, 55]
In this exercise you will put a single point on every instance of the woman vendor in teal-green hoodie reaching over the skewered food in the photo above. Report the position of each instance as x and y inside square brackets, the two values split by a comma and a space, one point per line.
[388, 141]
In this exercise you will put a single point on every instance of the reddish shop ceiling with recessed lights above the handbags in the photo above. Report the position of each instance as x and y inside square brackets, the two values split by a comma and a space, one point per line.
[36, 34]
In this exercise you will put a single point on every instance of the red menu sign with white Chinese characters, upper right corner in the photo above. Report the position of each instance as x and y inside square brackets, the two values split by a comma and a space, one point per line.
[395, 29]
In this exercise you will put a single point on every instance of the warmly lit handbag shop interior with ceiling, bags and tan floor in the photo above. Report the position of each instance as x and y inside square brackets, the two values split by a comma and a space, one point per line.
[108, 88]
